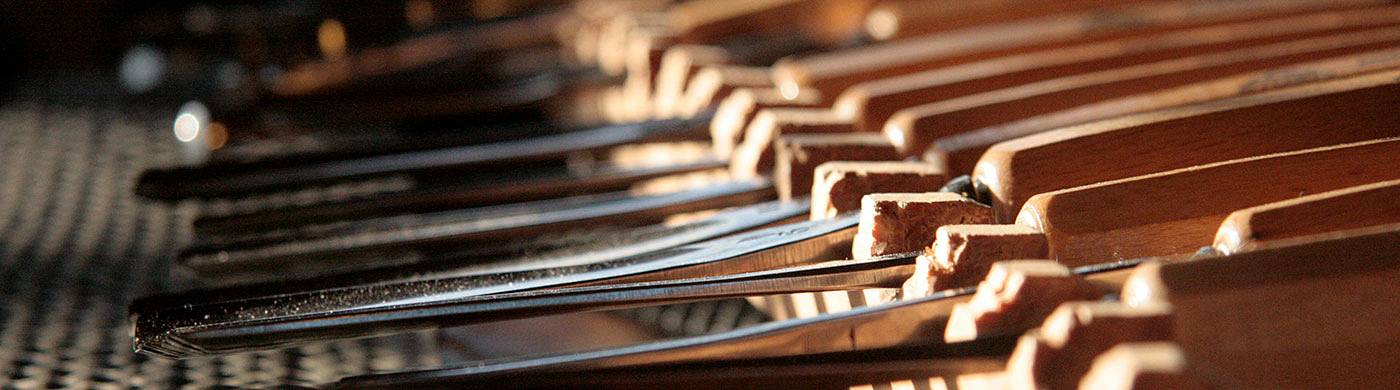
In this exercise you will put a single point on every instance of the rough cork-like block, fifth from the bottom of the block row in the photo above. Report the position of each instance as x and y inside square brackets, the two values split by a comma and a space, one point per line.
[902, 223]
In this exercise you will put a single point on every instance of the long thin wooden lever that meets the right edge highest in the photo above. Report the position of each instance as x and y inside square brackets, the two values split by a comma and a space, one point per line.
[874, 103]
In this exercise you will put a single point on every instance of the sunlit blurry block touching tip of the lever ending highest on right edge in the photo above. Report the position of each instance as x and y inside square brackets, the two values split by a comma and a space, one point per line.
[736, 111]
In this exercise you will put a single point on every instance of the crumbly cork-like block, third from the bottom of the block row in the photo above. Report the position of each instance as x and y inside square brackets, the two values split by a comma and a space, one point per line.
[1017, 296]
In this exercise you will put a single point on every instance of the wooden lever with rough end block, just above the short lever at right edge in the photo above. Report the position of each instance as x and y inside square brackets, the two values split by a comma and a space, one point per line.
[1158, 215]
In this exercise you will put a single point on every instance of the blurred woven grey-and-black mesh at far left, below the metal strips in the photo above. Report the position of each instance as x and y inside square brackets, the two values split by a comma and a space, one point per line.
[76, 247]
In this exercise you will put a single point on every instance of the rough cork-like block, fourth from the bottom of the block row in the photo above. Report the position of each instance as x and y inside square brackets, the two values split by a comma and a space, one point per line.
[962, 255]
